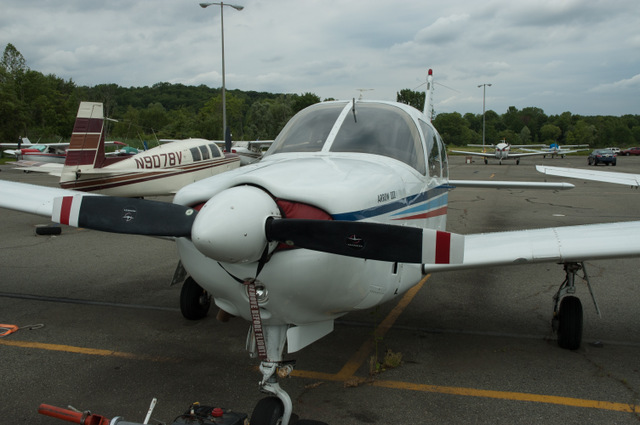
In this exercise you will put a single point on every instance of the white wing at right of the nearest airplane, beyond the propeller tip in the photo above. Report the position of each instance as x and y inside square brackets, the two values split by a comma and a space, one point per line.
[554, 244]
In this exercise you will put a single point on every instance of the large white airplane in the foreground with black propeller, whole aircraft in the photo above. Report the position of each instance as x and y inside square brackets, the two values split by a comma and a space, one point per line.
[346, 210]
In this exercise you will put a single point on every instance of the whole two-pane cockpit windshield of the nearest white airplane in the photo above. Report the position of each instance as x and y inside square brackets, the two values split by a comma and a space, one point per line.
[374, 128]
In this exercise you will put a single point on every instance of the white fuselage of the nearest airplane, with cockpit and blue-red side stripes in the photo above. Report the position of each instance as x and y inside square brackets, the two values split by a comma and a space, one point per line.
[372, 161]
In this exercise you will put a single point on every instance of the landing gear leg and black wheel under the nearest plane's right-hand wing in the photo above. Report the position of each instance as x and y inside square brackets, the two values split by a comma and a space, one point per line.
[567, 308]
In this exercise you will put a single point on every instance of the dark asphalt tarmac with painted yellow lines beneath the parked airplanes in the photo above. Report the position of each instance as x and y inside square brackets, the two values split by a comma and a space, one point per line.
[476, 346]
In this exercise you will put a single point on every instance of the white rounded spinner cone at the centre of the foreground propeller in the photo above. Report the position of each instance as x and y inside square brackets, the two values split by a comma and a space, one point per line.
[230, 227]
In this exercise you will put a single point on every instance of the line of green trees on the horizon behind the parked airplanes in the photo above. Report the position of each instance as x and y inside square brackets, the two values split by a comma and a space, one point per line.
[43, 108]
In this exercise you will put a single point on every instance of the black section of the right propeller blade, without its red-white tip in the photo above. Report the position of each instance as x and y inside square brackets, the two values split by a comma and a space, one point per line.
[355, 239]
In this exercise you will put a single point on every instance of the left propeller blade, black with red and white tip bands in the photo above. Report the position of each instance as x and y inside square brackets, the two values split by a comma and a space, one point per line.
[124, 215]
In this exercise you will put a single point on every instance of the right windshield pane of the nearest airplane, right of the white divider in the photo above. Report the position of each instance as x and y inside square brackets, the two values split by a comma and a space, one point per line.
[381, 129]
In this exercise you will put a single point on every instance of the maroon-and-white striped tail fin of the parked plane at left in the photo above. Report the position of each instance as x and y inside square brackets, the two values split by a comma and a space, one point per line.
[86, 147]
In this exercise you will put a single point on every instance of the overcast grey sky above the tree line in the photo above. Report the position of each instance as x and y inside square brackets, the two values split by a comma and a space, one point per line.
[581, 56]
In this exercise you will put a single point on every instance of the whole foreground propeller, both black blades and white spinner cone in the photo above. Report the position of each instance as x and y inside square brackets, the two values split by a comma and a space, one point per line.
[237, 224]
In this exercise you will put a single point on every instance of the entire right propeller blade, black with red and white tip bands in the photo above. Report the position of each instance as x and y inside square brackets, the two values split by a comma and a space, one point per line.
[374, 241]
